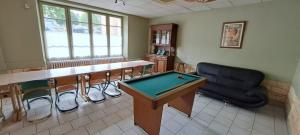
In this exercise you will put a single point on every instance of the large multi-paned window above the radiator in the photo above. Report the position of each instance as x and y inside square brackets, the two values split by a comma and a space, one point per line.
[71, 33]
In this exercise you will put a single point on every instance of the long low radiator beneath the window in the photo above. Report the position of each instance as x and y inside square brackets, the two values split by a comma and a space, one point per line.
[82, 62]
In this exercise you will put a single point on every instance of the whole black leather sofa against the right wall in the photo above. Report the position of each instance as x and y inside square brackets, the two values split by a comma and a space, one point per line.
[234, 85]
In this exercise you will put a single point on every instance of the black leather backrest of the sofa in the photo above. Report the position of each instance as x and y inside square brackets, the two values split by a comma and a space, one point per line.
[234, 77]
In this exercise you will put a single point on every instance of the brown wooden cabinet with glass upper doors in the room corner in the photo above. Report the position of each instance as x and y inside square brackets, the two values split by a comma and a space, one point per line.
[163, 46]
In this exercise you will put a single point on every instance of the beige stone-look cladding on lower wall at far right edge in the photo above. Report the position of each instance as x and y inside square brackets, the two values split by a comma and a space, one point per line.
[293, 112]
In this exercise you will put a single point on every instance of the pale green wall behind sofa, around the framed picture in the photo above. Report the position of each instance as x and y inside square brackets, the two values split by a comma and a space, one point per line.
[271, 41]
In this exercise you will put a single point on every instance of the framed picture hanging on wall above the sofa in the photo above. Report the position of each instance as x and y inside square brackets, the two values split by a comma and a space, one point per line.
[232, 34]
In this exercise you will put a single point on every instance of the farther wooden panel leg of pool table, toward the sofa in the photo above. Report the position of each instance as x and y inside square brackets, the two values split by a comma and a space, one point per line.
[184, 103]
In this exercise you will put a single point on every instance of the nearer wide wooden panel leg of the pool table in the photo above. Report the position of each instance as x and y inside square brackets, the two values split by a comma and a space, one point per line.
[146, 117]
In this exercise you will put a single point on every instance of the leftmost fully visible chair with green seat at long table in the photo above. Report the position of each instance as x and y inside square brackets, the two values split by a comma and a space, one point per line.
[36, 90]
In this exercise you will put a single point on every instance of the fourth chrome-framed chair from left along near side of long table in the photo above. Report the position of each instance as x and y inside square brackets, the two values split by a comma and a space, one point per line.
[113, 77]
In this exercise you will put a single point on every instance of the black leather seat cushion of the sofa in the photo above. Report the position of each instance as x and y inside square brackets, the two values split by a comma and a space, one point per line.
[230, 92]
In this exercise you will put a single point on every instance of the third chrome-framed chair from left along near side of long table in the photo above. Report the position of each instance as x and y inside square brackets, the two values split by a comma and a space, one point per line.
[98, 81]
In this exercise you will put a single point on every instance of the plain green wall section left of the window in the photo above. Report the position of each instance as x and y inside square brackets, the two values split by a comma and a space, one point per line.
[19, 35]
